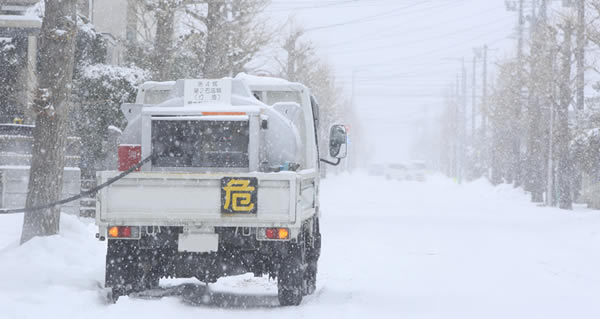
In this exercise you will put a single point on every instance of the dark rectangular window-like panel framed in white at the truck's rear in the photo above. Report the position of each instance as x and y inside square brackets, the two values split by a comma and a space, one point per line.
[202, 144]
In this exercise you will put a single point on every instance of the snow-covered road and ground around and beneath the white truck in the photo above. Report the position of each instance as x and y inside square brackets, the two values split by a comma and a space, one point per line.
[390, 249]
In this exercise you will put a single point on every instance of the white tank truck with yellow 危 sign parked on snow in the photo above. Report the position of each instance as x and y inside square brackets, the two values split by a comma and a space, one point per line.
[229, 185]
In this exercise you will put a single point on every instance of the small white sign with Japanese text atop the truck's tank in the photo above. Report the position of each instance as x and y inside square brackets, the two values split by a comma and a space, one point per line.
[207, 91]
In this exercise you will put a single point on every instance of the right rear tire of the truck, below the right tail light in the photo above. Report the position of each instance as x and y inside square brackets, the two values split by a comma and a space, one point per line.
[290, 279]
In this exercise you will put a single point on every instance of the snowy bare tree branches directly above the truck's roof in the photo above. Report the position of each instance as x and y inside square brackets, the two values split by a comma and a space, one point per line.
[222, 35]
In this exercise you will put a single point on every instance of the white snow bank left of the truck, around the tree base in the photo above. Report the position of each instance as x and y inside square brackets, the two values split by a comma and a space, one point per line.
[39, 277]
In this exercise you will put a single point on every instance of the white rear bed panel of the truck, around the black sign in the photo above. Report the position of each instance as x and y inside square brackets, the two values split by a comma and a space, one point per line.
[183, 199]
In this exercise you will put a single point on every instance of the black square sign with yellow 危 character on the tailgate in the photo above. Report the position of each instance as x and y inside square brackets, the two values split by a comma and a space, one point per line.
[239, 195]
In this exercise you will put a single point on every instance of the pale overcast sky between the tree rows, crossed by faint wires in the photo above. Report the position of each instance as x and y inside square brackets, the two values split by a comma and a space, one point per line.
[406, 54]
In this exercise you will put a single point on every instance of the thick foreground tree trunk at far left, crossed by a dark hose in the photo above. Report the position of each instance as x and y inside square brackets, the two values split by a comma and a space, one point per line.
[52, 107]
